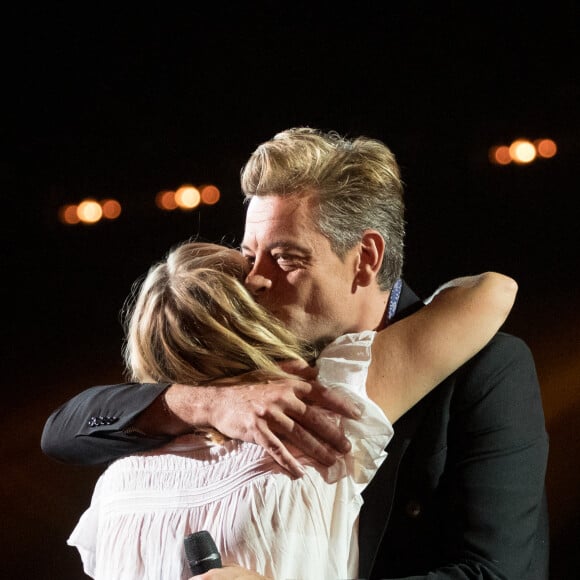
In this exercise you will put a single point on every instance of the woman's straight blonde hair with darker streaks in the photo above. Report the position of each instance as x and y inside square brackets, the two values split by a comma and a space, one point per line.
[191, 321]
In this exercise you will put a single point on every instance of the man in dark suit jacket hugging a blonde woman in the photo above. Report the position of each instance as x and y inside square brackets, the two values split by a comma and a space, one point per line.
[461, 494]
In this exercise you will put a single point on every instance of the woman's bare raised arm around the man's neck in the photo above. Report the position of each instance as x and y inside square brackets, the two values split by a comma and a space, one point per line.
[415, 354]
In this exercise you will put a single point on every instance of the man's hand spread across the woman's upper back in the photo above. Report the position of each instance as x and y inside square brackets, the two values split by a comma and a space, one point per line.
[299, 412]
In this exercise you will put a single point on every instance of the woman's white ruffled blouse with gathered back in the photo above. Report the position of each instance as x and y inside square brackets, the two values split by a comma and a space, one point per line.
[260, 517]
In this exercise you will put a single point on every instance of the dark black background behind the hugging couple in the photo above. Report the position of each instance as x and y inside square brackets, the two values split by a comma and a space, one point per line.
[125, 101]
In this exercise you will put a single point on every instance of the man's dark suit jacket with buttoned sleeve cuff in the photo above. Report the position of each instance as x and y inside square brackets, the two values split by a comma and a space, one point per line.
[461, 494]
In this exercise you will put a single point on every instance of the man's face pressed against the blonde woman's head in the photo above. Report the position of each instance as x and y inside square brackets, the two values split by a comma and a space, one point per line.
[295, 274]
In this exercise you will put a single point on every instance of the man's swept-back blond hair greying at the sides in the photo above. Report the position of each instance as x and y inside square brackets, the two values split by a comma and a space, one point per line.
[356, 183]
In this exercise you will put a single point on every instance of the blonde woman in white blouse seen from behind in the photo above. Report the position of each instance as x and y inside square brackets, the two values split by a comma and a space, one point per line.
[193, 322]
